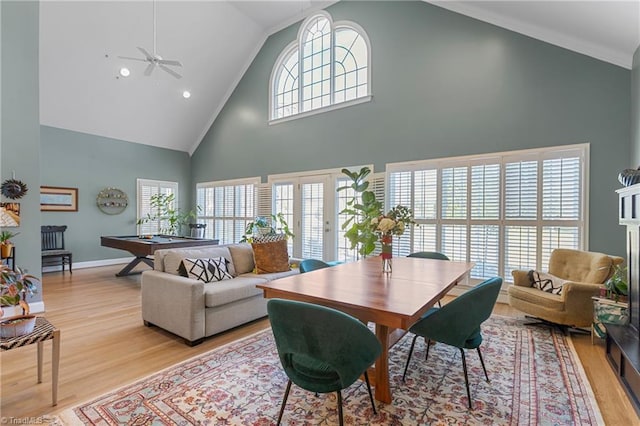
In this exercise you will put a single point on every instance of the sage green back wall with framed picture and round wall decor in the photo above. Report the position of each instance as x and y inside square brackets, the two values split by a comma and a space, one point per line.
[92, 163]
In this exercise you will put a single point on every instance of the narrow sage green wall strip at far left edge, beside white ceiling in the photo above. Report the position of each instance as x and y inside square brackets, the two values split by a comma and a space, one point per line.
[20, 135]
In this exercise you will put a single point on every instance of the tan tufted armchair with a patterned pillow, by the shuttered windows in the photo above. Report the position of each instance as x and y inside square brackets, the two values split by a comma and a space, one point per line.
[586, 272]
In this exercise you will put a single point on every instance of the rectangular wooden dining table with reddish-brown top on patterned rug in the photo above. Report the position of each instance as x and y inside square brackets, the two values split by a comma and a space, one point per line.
[392, 301]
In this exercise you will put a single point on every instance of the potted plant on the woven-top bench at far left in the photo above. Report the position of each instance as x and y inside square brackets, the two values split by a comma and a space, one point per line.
[15, 286]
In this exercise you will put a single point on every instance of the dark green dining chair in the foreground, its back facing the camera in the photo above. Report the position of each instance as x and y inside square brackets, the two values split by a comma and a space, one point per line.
[313, 355]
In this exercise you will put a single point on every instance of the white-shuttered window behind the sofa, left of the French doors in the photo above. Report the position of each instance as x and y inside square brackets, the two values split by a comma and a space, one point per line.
[227, 207]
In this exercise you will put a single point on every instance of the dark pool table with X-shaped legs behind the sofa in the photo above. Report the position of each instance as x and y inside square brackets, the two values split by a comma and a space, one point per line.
[143, 247]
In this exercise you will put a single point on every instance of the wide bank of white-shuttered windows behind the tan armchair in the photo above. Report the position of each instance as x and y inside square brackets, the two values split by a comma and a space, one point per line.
[502, 211]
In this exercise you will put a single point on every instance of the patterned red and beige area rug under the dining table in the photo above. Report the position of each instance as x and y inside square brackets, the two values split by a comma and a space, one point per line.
[535, 374]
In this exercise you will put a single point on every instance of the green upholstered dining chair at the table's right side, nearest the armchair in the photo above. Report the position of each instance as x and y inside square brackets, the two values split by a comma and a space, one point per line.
[458, 323]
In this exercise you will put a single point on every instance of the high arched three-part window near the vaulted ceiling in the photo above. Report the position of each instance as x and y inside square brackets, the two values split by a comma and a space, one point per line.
[329, 64]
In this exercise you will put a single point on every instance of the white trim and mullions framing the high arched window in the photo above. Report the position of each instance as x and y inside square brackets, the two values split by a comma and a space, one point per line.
[297, 44]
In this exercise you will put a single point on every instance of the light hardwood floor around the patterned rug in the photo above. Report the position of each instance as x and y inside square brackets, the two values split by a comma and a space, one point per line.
[105, 345]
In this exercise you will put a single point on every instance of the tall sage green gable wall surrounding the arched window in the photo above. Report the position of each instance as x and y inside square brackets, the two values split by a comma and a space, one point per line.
[443, 85]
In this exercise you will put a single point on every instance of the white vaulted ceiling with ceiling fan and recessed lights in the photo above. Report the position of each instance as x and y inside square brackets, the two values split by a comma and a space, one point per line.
[81, 43]
